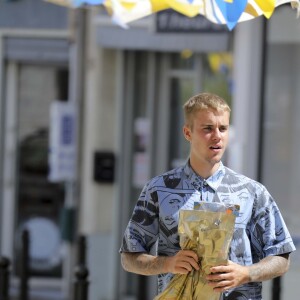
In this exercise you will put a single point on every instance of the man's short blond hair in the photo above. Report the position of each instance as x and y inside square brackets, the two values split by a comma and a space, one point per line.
[203, 101]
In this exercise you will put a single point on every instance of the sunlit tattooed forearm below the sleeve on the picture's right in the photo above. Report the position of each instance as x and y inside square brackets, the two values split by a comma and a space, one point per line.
[268, 268]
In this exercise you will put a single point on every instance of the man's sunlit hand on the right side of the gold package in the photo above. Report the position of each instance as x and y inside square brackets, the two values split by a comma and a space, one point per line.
[229, 276]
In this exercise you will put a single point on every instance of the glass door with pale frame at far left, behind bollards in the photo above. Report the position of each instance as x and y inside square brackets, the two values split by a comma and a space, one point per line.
[30, 201]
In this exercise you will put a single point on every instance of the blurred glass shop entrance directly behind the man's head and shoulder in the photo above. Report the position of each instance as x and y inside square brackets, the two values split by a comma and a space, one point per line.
[156, 85]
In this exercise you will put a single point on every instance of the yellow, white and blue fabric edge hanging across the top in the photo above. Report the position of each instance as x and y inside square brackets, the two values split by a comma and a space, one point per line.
[228, 12]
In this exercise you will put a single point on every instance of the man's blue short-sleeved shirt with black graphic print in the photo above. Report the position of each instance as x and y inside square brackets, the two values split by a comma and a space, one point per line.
[260, 230]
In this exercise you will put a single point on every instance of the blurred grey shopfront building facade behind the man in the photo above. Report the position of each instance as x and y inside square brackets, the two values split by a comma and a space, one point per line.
[127, 88]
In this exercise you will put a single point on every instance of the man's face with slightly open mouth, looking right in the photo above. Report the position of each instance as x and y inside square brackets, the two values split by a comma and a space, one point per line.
[208, 138]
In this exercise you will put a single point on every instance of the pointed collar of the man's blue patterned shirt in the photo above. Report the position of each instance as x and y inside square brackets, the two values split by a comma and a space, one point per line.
[197, 181]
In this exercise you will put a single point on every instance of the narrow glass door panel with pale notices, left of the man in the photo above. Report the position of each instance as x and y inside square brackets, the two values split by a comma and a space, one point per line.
[137, 148]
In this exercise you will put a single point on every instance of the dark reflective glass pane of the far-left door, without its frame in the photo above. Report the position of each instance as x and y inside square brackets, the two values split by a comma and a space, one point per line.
[39, 202]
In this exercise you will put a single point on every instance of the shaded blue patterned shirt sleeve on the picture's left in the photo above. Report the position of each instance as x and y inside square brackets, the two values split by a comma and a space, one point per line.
[142, 229]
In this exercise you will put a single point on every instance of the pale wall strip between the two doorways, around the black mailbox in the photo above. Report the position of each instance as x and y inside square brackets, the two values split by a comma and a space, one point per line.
[97, 205]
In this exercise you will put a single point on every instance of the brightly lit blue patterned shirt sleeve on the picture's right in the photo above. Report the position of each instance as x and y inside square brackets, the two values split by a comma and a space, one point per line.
[269, 233]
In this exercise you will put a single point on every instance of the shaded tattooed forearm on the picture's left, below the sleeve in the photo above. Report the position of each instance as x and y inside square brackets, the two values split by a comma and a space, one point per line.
[143, 264]
